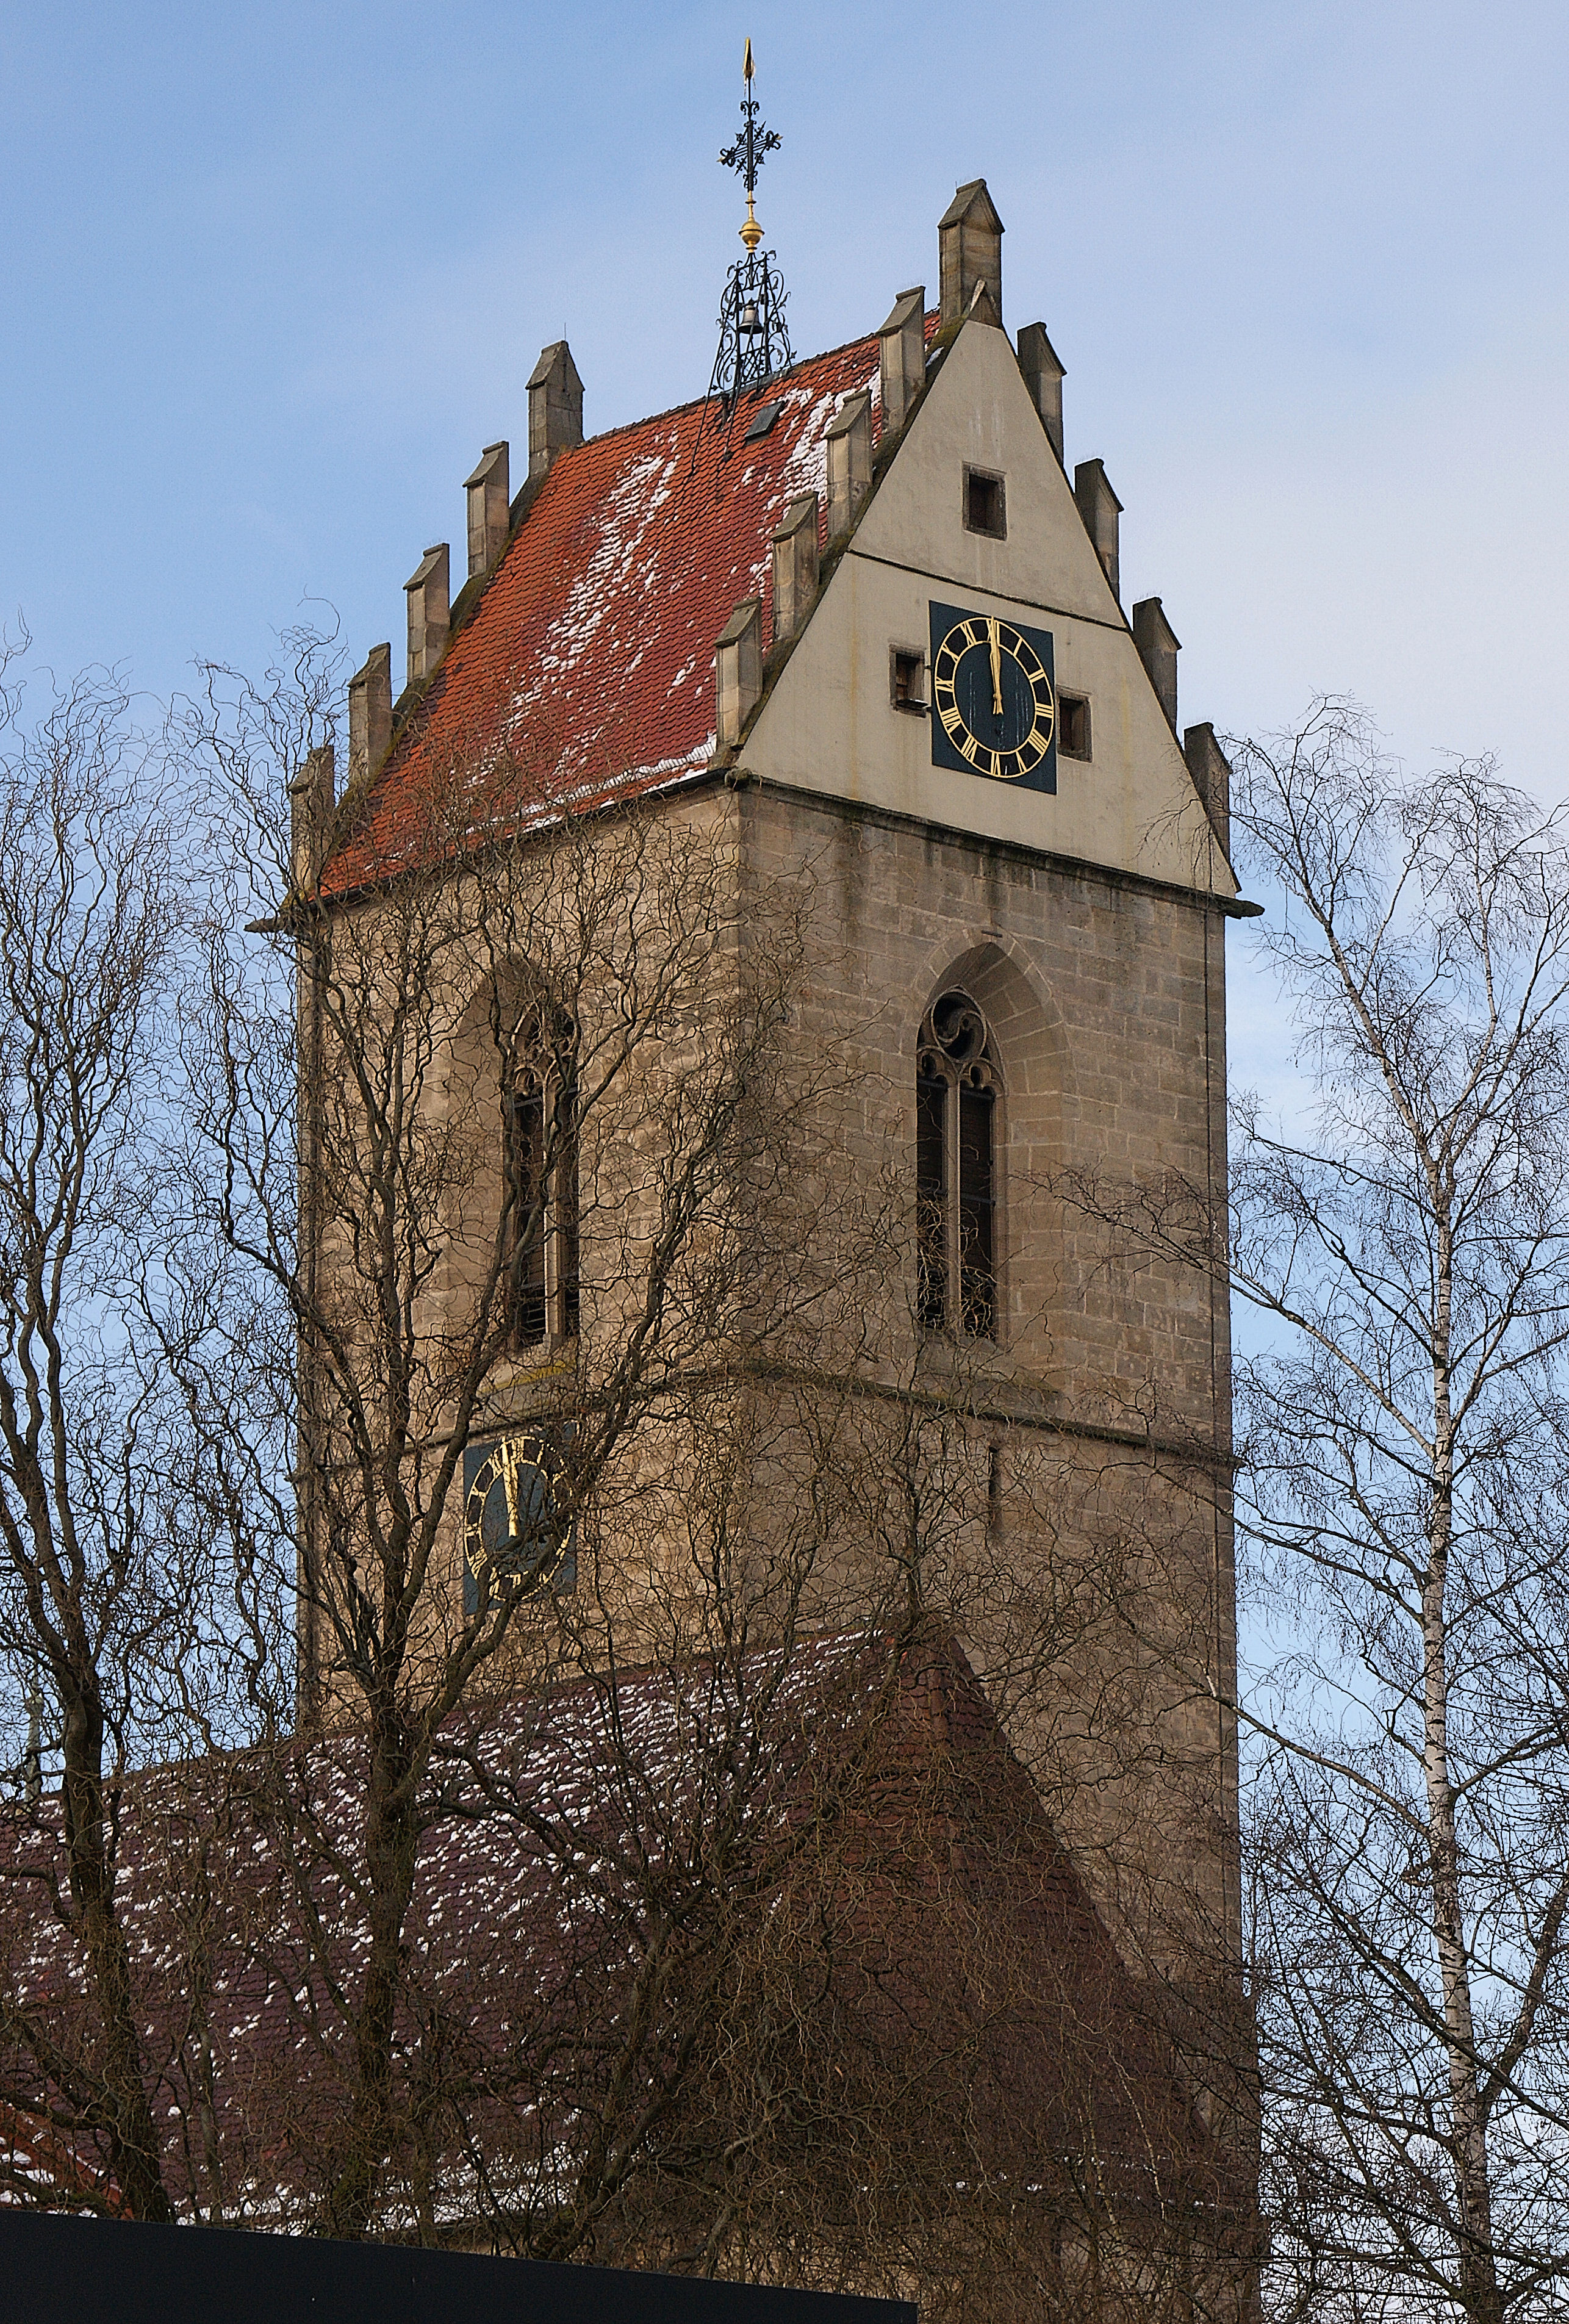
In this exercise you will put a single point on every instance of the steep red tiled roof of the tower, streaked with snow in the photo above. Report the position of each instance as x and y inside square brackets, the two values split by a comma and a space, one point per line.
[589, 664]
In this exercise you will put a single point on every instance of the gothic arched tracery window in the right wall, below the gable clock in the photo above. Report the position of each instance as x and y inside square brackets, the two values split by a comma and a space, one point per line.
[957, 1170]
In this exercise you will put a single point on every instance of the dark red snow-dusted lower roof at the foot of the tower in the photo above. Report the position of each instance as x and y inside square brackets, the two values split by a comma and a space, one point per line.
[526, 1932]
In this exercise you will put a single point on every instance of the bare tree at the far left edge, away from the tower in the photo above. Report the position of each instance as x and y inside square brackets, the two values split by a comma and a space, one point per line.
[113, 1607]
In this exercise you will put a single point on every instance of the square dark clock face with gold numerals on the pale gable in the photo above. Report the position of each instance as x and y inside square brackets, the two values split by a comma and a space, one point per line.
[994, 698]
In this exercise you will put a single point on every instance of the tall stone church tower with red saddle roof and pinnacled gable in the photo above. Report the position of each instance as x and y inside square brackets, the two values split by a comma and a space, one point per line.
[852, 622]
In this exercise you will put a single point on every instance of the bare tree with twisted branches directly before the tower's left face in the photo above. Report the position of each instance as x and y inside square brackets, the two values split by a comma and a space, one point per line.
[522, 1145]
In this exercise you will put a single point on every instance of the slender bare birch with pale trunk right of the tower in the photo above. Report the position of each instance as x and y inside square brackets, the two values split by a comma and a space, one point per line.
[1405, 1242]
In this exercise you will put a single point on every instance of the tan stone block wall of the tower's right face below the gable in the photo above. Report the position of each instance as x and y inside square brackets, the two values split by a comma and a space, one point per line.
[1112, 1370]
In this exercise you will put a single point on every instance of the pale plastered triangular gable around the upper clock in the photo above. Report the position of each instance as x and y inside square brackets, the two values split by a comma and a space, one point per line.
[831, 724]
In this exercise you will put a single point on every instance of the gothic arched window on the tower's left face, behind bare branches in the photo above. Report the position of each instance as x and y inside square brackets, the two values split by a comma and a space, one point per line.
[540, 1159]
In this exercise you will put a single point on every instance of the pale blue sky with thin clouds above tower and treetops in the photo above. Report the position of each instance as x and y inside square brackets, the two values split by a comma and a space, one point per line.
[273, 275]
